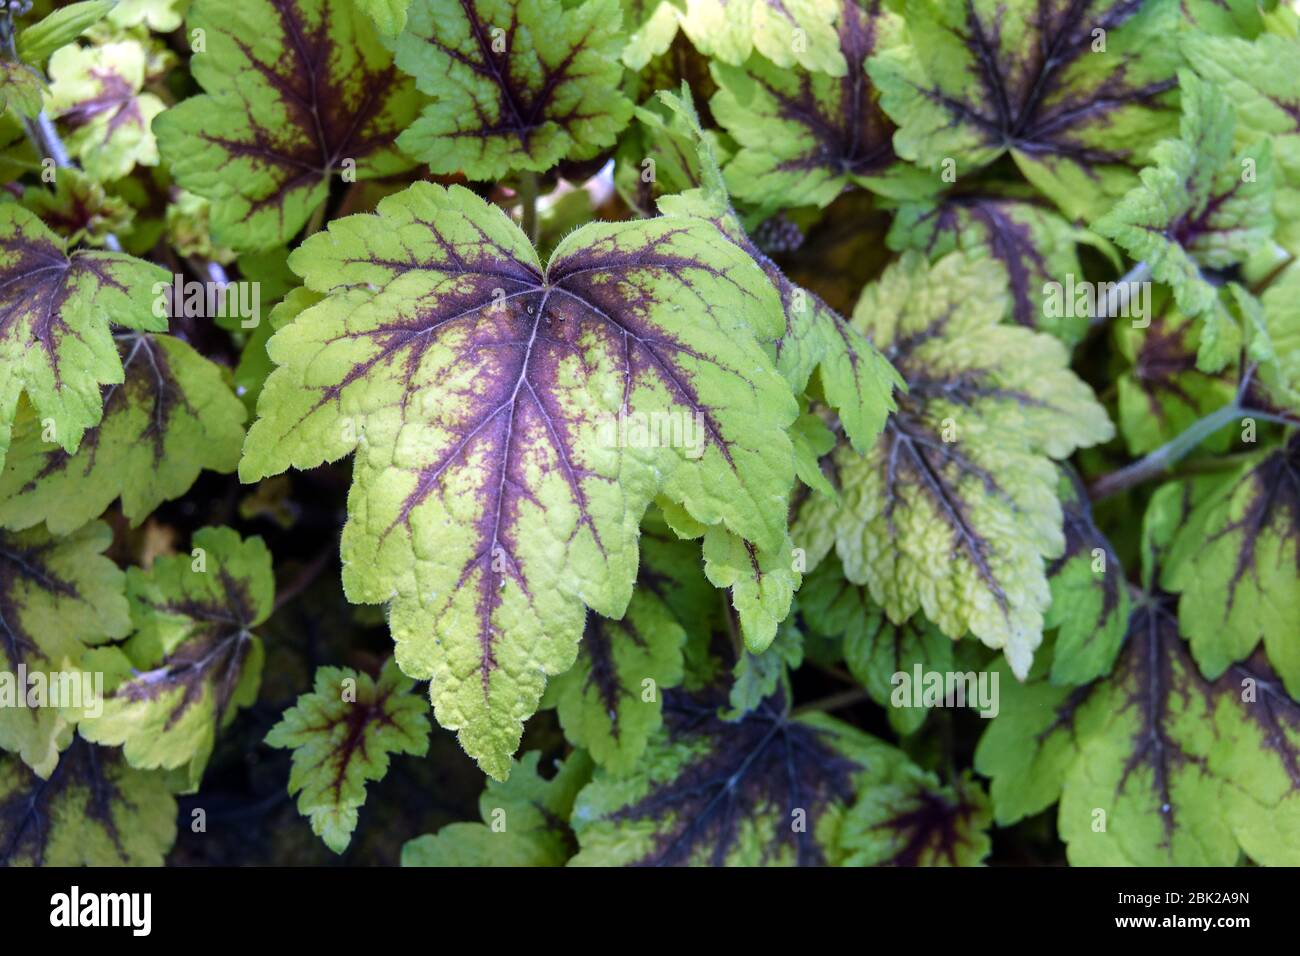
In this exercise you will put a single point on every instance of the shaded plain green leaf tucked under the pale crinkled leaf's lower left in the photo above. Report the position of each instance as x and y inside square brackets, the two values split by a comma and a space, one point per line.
[874, 648]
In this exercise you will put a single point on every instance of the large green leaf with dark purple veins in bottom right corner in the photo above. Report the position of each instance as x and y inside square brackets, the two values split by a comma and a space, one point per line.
[1154, 765]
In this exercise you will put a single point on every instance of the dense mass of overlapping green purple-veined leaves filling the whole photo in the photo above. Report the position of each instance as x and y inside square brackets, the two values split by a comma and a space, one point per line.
[687, 383]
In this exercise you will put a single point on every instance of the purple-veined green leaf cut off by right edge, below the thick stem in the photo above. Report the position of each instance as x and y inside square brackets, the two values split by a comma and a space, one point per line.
[1236, 564]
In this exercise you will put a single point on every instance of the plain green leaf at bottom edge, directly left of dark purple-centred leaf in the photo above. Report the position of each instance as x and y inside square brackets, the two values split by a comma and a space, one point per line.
[523, 821]
